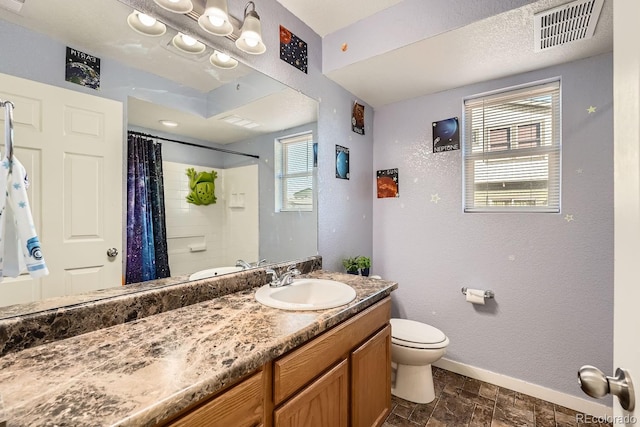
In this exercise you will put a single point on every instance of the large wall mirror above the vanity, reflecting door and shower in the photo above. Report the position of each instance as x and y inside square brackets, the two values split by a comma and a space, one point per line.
[230, 121]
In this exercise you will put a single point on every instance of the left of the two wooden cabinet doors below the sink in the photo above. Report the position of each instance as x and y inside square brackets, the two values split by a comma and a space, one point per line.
[325, 402]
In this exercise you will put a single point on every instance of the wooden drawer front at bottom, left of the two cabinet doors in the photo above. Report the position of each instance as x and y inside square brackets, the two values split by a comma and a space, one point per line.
[242, 406]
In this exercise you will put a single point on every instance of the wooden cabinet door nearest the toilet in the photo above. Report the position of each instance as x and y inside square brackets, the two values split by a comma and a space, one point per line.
[371, 380]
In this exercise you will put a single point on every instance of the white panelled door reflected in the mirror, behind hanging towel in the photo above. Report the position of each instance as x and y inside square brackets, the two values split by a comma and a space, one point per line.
[71, 145]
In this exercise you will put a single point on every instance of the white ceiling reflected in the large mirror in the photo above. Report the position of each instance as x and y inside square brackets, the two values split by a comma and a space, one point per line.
[100, 27]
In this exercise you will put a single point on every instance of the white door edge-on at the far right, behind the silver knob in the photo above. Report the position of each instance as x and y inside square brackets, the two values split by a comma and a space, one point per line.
[626, 112]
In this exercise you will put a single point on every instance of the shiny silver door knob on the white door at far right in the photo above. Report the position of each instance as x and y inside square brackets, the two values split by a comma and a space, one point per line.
[596, 384]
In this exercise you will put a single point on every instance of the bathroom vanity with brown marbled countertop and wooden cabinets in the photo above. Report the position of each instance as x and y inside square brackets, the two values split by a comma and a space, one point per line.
[225, 358]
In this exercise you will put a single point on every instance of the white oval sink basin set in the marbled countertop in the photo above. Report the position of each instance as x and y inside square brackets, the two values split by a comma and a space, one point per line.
[306, 294]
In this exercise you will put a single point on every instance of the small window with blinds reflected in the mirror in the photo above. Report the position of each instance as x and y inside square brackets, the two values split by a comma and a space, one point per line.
[294, 172]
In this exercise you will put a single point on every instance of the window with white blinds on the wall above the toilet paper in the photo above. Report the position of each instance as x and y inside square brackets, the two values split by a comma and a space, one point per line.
[546, 147]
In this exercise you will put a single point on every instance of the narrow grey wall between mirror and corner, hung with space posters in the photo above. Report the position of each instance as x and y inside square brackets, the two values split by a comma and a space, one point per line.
[344, 206]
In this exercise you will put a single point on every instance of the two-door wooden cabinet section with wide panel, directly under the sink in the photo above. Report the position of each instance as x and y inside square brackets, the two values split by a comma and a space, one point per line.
[341, 375]
